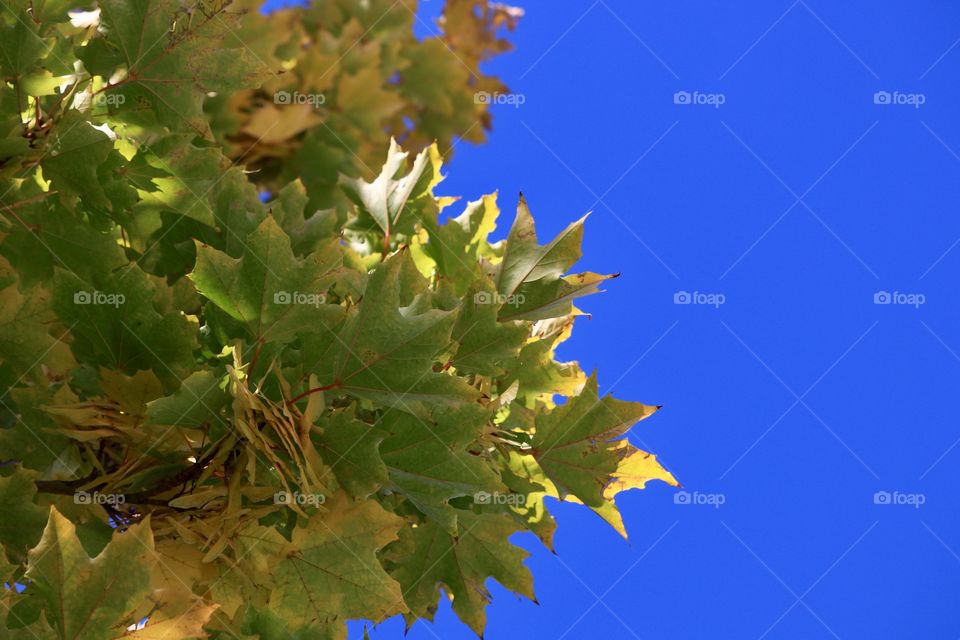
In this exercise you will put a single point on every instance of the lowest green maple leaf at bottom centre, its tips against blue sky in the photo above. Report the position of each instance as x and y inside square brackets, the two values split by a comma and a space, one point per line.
[429, 557]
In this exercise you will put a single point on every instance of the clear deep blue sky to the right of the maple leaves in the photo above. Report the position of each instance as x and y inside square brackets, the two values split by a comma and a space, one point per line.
[796, 400]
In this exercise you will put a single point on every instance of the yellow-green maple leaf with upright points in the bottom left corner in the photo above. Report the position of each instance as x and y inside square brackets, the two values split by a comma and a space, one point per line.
[84, 598]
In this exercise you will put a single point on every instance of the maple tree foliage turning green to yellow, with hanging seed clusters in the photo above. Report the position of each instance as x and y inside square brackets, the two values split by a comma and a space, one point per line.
[252, 388]
